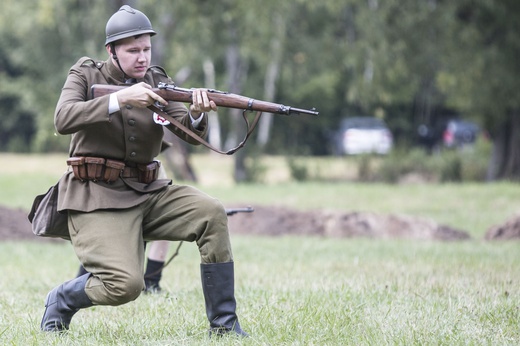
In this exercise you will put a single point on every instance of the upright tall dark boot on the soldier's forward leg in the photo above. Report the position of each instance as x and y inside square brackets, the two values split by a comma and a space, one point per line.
[218, 285]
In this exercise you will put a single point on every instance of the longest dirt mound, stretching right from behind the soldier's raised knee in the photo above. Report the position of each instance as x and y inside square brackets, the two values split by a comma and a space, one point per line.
[280, 221]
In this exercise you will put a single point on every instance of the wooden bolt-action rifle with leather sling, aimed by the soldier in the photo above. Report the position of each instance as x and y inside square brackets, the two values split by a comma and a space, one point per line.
[171, 92]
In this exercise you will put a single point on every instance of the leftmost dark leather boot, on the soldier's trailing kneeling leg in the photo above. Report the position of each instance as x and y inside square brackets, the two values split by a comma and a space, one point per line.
[63, 302]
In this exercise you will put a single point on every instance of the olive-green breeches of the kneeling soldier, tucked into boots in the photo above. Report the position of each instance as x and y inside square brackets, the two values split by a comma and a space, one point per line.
[110, 243]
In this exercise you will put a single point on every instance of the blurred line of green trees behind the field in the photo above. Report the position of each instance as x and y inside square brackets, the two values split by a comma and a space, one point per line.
[407, 61]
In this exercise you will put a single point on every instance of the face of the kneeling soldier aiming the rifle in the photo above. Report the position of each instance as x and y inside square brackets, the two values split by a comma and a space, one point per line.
[134, 55]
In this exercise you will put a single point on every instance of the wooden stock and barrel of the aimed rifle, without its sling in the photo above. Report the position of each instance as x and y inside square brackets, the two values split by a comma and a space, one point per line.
[171, 92]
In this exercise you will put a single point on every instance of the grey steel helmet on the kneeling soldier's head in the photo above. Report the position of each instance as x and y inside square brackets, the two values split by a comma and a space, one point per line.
[127, 22]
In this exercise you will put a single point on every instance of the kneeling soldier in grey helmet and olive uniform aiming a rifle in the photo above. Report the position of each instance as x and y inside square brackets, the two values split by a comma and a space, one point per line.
[111, 193]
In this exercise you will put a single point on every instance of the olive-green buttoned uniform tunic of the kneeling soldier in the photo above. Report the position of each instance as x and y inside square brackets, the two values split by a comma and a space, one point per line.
[130, 135]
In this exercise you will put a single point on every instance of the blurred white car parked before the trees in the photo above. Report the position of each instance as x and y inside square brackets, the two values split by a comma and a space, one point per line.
[364, 135]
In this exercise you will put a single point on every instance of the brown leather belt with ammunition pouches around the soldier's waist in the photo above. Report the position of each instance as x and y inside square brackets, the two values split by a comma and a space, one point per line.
[87, 168]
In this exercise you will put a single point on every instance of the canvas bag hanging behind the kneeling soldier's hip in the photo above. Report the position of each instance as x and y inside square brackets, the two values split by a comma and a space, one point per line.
[44, 216]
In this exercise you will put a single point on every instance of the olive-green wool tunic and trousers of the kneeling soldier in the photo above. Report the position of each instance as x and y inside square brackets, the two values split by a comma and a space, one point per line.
[108, 222]
